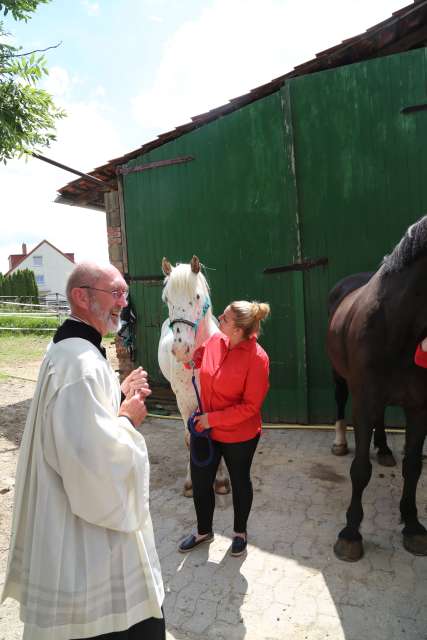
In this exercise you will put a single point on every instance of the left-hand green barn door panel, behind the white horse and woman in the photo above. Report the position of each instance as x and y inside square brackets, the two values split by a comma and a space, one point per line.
[233, 205]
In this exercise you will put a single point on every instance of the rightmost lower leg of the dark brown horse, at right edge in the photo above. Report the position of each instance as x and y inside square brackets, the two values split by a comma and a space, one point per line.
[414, 533]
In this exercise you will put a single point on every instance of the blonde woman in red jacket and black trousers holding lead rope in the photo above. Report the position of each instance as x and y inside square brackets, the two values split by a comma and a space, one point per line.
[234, 372]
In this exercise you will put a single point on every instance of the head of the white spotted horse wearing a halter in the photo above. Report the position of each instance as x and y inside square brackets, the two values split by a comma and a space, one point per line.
[186, 293]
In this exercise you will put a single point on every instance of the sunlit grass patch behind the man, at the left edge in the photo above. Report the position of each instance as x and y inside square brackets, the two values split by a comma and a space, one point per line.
[21, 348]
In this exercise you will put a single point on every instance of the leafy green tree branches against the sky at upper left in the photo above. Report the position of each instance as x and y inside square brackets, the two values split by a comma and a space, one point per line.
[27, 113]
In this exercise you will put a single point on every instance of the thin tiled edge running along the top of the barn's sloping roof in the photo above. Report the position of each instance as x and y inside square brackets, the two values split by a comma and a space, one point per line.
[251, 96]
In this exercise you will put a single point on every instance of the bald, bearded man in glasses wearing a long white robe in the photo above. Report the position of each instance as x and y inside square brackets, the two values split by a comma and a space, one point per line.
[82, 559]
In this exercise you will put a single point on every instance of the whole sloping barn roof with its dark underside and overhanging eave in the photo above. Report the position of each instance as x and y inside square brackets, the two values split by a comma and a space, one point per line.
[405, 30]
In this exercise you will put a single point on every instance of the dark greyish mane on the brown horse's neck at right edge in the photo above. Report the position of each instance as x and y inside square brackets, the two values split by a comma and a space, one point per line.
[412, 246]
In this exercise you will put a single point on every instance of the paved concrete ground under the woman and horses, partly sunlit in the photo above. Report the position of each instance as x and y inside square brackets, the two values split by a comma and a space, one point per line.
[289, 585]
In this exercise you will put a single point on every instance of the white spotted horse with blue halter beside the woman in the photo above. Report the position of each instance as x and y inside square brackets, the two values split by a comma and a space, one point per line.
[190, 323]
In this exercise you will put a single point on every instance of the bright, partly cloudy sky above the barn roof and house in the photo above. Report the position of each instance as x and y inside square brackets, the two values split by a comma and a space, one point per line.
[129, 70]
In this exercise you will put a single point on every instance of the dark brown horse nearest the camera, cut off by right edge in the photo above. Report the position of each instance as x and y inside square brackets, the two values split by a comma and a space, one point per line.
[371, 341]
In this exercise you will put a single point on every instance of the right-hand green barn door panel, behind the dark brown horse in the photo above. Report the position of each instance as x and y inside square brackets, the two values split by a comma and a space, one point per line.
[361, 163]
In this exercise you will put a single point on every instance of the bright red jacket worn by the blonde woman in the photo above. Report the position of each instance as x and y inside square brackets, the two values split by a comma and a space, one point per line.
[234, 383]
